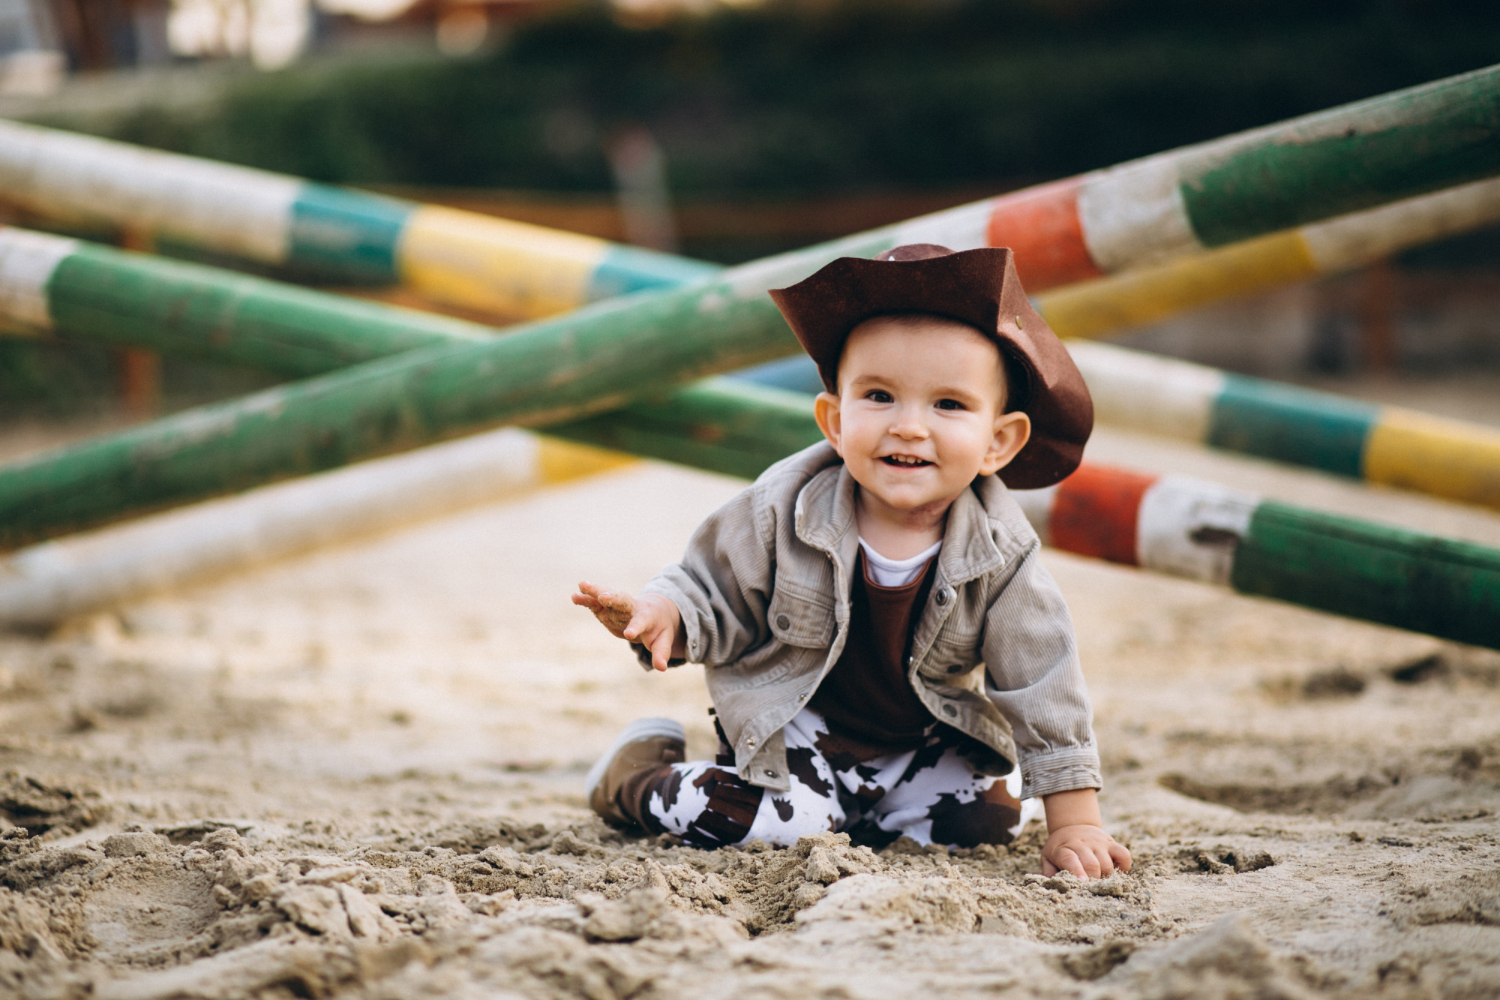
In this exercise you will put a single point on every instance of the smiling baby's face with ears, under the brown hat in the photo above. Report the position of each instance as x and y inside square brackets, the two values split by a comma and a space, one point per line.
[919, 412]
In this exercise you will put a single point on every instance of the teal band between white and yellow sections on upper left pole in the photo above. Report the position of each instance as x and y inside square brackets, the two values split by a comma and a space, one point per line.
[347, 235]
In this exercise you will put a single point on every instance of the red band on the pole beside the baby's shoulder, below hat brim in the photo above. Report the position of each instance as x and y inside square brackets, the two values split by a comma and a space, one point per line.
[1096, 512]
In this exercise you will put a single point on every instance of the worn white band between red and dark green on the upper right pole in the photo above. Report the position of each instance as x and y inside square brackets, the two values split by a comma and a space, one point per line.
[1135, 215]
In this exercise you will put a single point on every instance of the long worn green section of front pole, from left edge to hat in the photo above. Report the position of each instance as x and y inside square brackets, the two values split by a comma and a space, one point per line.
[589, 362]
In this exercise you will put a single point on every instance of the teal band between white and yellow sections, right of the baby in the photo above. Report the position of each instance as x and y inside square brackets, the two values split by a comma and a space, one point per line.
[1292, 425]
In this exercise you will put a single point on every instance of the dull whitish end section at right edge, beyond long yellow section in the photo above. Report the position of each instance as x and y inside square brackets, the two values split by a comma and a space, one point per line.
[1369, 236]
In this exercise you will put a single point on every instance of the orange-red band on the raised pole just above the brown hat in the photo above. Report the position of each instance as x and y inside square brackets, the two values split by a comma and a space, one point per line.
[1042, 226]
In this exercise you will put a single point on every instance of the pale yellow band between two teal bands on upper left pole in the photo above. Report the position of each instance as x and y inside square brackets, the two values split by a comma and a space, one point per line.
[494, 265]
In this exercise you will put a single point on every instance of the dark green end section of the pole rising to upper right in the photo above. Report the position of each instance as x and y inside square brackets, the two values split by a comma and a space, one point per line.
[1352, 158]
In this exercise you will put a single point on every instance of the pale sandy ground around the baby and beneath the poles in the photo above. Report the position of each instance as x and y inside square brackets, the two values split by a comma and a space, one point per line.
[359, 776]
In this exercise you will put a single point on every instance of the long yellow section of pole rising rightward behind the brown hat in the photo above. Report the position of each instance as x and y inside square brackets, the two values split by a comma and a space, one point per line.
[1132, 299]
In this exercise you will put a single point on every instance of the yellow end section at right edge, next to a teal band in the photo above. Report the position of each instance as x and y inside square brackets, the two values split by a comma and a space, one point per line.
[1433, 455]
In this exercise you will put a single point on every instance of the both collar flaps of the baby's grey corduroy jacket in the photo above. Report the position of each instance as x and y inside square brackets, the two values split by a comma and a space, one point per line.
[826, 519]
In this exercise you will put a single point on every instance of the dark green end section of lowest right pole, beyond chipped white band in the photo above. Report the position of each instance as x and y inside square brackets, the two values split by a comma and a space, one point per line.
[1370, 572]
